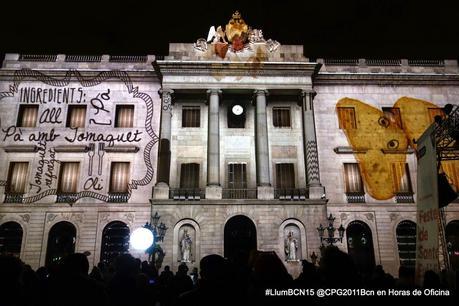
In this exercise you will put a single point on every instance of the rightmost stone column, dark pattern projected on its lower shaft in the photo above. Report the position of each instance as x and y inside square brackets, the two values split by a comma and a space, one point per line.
[311, 157]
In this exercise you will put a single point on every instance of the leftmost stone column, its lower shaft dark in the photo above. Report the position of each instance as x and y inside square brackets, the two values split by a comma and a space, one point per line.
[161, 190]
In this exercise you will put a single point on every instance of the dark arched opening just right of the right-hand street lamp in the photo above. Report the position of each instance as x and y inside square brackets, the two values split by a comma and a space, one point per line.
[360, 246]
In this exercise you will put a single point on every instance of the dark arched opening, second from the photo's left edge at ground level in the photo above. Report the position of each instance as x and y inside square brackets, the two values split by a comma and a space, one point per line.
[61, 242]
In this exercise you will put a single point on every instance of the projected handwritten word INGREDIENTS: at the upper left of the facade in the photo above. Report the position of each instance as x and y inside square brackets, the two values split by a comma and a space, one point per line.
[51, 95]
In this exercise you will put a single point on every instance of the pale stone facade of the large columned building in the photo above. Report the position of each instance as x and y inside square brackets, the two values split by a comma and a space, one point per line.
[312, 142]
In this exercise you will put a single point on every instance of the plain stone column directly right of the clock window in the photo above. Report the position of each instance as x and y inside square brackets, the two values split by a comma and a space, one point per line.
[264, 188]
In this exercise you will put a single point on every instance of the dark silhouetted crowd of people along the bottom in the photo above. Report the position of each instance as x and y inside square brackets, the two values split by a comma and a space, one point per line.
[244, 279]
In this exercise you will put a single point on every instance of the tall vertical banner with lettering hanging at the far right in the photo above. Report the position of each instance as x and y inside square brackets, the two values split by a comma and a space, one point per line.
[427, 247]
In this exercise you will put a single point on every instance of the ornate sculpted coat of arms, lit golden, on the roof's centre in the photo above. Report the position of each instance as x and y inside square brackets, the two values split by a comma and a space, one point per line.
[236, 38]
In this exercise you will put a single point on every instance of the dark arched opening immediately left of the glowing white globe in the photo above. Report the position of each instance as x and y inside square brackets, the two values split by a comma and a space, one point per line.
[115, 241]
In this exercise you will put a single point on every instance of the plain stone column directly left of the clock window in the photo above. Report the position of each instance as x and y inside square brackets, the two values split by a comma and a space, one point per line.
[213, 189]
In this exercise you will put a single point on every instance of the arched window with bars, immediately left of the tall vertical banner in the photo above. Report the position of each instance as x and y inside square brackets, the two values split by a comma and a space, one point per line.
[406, 242]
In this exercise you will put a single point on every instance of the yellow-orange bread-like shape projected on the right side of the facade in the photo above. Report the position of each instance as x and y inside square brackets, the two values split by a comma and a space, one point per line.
[385, 139]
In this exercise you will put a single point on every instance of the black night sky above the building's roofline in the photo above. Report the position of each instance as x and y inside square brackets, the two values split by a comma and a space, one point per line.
[327, 28]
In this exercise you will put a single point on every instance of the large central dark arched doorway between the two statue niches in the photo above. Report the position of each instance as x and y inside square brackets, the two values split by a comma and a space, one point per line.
[240, 237]
